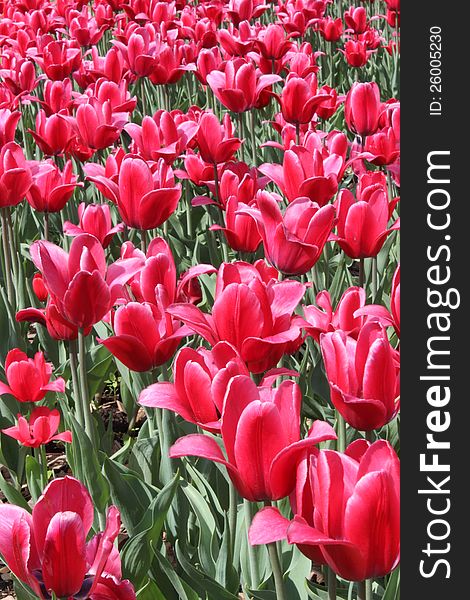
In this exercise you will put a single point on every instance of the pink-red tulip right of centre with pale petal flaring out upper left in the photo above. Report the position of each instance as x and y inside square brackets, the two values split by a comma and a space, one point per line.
[293, 242]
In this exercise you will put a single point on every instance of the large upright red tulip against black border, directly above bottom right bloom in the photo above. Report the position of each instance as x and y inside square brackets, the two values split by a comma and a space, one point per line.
[363, 376]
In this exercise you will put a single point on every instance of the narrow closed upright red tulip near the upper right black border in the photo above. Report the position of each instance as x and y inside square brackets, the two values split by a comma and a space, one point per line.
[362, 108]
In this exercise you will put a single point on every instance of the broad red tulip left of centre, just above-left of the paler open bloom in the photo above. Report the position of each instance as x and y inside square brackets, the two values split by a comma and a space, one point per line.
[145, 337]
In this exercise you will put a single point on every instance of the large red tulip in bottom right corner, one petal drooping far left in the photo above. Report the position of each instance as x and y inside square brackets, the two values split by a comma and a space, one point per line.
[347, 510]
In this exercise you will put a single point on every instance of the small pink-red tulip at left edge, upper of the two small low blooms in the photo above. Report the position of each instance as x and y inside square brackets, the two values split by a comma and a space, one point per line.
[29, 379]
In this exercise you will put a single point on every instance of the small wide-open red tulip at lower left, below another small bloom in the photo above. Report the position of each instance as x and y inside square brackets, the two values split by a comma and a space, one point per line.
[41, 428]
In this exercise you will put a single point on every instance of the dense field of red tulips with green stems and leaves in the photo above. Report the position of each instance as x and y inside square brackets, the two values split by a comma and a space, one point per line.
[199, 300]
